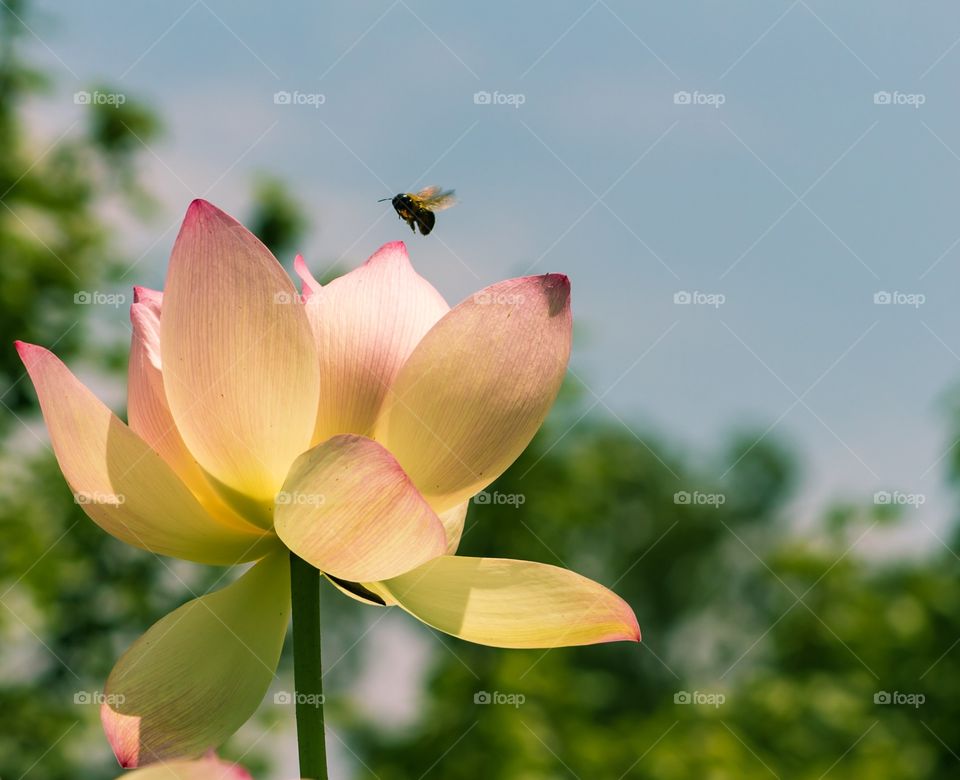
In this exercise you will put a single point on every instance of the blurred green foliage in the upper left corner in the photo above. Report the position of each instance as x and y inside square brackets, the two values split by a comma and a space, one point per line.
[53, 243]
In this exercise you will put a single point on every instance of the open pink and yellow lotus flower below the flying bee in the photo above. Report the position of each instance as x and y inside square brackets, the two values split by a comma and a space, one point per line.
[350, 425]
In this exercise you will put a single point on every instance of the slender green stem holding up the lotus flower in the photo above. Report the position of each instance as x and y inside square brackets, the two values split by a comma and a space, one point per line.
[307, 668]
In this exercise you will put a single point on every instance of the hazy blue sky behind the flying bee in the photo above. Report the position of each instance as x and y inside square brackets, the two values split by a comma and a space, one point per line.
[798, 198]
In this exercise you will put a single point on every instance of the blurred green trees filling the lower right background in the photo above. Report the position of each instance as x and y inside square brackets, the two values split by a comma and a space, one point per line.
[797, 633]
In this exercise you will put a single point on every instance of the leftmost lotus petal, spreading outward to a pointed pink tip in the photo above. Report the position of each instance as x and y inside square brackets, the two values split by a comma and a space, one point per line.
[123, 485]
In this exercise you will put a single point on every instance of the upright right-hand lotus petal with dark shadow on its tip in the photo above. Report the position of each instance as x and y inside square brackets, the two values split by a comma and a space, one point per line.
[478, 386]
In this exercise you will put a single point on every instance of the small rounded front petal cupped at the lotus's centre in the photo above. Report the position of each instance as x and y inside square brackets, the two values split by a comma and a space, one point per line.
[348, 509]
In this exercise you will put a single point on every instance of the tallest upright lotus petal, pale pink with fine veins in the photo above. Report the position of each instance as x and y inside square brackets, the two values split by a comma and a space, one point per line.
[239, 362]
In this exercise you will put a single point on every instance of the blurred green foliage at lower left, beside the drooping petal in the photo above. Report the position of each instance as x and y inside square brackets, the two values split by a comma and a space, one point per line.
[80, 598]
